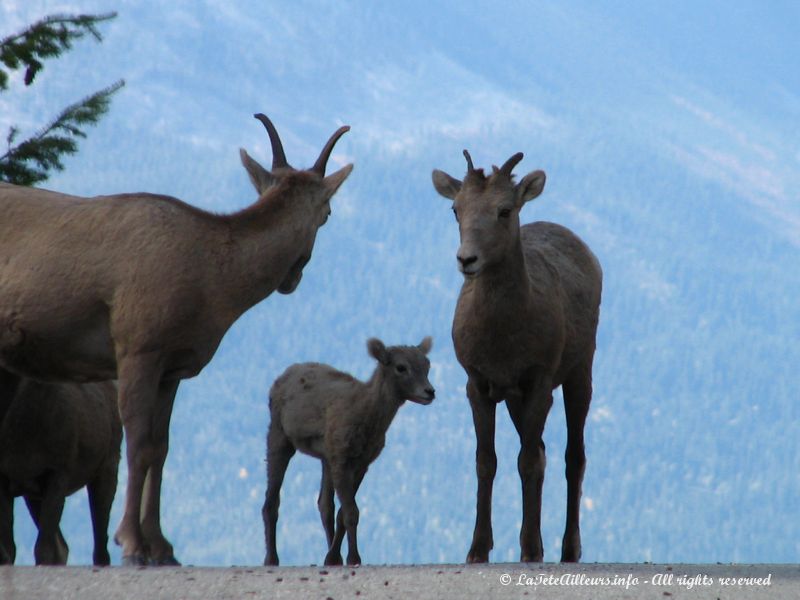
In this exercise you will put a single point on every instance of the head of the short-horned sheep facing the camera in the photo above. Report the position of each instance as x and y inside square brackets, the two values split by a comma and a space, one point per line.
[487, 210]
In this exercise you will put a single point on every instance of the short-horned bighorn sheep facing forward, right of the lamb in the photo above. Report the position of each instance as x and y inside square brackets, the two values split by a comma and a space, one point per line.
[525, 323]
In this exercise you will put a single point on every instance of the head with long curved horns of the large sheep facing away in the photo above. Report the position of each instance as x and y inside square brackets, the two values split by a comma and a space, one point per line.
[302, 198]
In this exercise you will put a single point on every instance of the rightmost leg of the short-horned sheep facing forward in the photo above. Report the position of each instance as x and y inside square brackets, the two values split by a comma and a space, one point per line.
[577, 396]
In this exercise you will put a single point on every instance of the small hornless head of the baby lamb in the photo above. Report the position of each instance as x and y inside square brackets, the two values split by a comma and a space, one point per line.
[406, 367]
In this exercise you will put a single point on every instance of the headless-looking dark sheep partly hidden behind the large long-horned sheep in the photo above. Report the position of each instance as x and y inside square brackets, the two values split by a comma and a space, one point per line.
[56, 438]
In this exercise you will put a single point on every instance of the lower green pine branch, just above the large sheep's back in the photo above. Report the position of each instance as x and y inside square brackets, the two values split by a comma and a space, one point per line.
[30, 161]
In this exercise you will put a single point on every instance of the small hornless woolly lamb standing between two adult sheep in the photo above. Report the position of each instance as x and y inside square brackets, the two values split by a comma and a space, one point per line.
[342, 421]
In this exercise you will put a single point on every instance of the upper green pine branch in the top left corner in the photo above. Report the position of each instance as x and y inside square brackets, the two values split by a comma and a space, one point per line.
[44, 39]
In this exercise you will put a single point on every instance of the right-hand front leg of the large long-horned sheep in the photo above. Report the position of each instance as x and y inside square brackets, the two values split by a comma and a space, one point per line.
[159, 549]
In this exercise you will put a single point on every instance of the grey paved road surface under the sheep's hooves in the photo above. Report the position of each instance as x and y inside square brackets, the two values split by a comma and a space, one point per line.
[422, 582]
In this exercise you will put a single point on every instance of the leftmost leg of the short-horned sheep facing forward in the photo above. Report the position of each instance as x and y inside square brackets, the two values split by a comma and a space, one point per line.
[483, 418]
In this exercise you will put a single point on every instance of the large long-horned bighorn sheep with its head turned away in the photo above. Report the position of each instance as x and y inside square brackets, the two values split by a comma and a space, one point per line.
[141, 288]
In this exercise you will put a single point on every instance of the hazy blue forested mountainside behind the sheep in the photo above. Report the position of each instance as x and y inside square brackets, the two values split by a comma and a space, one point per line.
[671, 140]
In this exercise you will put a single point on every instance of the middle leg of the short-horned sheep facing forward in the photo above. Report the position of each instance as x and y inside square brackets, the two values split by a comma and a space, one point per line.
[529, 413]
